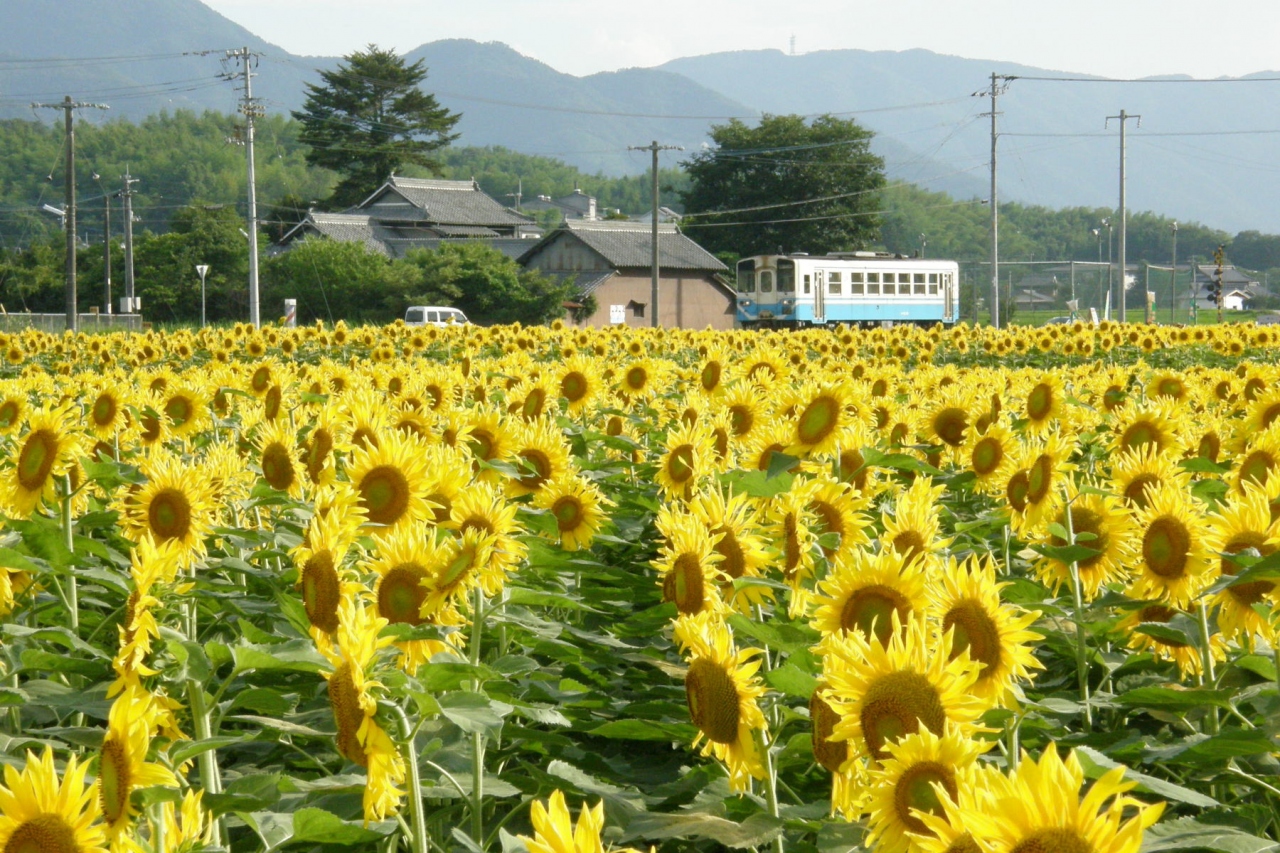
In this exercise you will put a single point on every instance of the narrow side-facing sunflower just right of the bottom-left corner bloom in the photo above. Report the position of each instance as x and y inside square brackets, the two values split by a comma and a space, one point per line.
[124, 765]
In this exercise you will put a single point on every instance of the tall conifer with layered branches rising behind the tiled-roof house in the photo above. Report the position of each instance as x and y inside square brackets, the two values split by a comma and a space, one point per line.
[369, 120]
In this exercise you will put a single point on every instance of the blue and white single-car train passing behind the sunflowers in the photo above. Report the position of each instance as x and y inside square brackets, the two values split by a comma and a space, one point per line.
[847, 288]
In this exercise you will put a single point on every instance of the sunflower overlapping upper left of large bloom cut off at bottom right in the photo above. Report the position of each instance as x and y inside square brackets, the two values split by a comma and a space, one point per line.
[922, 770]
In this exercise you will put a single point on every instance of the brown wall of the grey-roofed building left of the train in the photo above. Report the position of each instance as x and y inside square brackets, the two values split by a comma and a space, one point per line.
[689, 300]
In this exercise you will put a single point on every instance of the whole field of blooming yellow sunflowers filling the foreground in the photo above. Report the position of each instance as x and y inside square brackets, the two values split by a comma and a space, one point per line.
[551, 590]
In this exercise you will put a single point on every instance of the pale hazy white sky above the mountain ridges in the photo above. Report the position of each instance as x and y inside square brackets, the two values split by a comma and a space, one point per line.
[1109, 38]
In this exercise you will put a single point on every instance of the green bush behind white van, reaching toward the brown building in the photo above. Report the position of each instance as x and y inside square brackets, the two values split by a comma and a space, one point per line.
[491, 288]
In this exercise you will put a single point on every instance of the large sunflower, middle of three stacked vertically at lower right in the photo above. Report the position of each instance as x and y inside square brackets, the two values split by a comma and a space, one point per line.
[884, 694]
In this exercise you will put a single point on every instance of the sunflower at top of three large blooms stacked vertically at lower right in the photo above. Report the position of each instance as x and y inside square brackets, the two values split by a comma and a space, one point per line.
[861, 595]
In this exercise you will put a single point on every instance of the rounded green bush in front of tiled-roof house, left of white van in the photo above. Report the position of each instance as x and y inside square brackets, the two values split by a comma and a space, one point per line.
[336, 281]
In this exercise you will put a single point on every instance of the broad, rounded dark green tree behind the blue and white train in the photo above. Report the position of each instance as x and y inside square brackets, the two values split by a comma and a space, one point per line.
[785, 185]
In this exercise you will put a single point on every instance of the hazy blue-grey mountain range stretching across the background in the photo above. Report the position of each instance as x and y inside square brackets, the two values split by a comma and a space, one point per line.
[1203, 152]
